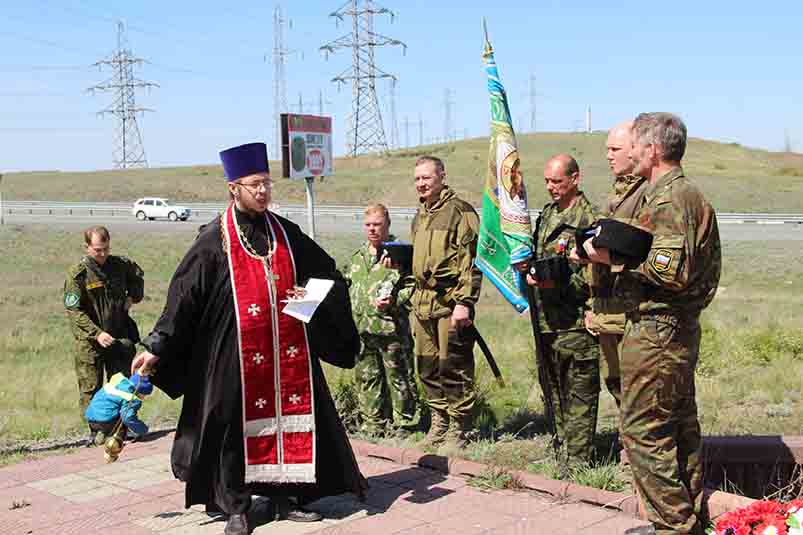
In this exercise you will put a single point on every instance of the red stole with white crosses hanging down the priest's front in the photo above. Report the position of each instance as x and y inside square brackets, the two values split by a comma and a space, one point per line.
[275, 368]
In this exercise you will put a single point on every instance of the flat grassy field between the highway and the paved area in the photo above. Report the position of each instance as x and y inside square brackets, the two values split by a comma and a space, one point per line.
[750, 375]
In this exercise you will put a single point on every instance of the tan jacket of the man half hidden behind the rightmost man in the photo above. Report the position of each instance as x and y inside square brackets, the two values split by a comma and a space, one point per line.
[623, 202]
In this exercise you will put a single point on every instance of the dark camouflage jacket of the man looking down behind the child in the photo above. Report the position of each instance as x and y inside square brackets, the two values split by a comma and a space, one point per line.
[95, 297]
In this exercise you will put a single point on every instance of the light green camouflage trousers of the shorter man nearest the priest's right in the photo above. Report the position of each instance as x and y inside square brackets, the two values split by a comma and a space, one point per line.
[386, 386]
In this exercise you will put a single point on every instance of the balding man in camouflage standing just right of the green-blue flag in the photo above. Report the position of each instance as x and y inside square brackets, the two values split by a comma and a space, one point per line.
[570, 352]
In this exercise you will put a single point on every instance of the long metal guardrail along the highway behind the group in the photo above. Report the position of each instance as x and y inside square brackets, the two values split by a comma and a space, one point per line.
[111, 209]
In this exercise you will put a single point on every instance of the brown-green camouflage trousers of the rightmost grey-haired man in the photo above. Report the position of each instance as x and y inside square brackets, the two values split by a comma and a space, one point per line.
[660, 429]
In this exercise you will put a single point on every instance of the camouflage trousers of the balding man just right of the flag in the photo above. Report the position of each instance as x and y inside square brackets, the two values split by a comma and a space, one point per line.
[573, 361]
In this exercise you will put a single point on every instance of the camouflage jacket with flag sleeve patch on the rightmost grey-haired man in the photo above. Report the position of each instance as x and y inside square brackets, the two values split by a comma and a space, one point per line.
[681, 273]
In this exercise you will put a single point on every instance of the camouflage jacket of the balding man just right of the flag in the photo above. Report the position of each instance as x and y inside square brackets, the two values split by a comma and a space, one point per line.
[563, 307]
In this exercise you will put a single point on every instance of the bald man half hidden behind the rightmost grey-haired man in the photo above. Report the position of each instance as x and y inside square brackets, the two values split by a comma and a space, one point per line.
[606, 317]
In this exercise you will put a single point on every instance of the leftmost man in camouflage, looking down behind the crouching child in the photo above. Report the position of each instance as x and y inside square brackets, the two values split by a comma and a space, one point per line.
[97, 295]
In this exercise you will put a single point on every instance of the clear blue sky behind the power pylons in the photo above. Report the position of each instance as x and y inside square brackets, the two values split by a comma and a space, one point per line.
[730, 69]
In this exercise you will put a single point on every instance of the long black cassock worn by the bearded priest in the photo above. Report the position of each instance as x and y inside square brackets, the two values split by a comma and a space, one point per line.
[196, 340]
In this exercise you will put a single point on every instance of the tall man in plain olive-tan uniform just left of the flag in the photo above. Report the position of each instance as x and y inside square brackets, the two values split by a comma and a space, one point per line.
[447, 286]
